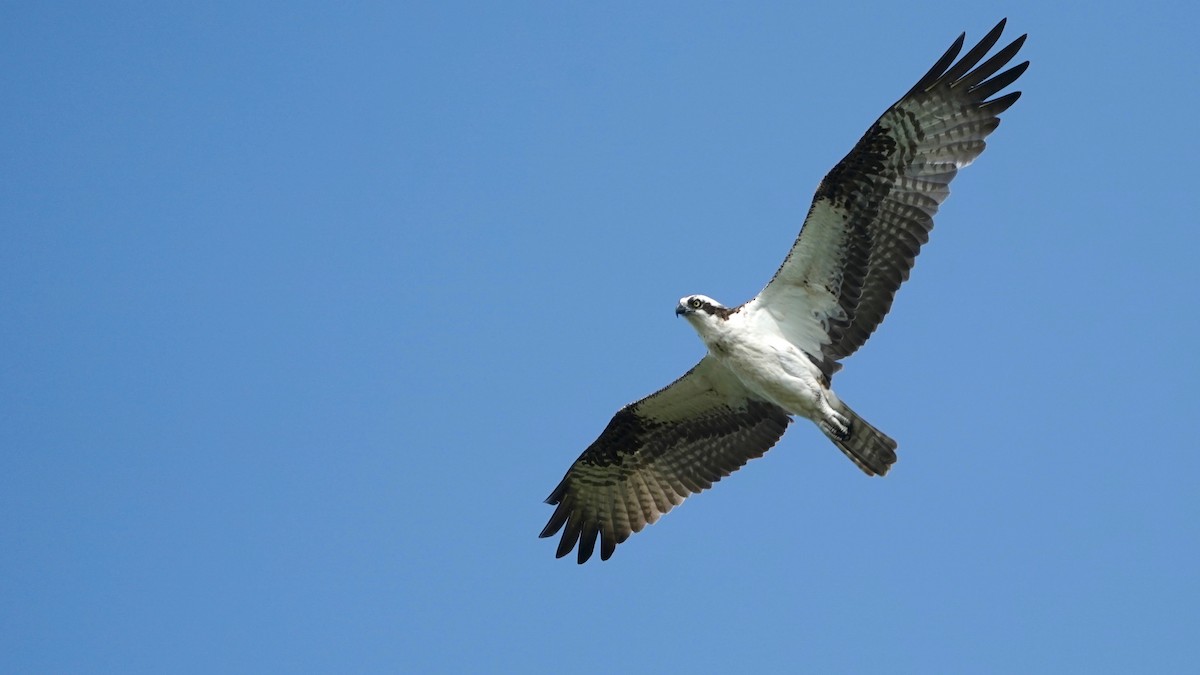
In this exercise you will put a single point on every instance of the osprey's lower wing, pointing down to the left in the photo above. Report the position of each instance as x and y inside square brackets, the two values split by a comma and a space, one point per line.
[656, 453]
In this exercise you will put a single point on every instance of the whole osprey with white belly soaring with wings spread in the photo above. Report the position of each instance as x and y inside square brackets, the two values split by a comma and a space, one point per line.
[775, 356]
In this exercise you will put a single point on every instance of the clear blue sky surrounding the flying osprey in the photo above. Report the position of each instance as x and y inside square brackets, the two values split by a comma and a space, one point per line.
[305, 309]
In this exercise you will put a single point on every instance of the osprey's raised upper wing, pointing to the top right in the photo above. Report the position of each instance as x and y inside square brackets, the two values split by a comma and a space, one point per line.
[875, 210]
